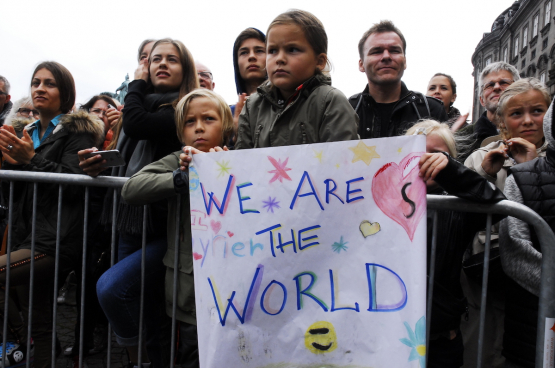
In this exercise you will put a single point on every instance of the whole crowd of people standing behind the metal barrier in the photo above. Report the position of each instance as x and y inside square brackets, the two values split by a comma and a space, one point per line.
[285, 97]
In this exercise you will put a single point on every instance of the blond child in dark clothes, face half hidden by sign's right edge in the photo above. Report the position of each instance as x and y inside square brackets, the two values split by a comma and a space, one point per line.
[455, 230]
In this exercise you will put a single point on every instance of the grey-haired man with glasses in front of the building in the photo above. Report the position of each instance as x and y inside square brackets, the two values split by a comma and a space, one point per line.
[494, 79]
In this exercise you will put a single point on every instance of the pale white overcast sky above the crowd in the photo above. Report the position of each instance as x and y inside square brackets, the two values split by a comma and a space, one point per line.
[98, 40]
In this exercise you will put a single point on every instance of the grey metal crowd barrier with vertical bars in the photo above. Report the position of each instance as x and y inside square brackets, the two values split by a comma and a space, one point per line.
[545, 235]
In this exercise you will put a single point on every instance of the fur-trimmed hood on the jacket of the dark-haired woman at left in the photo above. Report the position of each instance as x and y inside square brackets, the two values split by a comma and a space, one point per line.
[80, 122]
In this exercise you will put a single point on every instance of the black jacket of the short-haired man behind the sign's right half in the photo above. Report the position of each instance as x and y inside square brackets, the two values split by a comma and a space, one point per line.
[411, 107]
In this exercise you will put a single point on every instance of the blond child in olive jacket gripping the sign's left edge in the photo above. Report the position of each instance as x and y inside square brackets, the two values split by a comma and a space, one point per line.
[204, 122]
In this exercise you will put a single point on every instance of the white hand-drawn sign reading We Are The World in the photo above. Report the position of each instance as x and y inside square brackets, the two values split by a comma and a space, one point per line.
[311, 256]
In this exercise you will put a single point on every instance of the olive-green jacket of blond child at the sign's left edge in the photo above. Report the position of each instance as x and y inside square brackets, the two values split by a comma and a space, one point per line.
[154, 183]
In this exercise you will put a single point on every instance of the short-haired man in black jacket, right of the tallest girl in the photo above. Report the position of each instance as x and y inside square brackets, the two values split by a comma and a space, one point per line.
[386, 107]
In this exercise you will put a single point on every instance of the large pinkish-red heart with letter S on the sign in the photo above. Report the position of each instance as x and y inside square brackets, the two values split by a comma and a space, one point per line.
[401, 198]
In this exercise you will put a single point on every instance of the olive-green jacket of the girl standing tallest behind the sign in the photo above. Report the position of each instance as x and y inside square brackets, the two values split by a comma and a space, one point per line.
[320, 113]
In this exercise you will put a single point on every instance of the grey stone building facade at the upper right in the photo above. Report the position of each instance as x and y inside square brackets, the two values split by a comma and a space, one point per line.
[522, 35]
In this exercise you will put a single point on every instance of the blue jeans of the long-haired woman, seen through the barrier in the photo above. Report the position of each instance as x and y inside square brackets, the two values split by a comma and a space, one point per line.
[119, 292]
